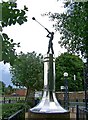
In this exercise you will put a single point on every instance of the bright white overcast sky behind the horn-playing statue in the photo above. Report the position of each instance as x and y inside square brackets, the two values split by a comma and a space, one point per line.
[31, 35]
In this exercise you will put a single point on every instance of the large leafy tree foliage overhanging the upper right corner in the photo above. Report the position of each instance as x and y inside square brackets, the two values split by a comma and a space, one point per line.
[73, 26]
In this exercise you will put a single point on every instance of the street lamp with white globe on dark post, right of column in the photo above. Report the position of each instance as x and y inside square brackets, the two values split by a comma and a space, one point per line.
[66, 94]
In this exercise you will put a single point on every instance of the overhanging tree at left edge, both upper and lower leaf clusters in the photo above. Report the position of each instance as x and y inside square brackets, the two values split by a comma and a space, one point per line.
[10, 16]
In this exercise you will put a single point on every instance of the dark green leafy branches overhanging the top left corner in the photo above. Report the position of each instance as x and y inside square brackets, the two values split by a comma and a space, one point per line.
[12, 15]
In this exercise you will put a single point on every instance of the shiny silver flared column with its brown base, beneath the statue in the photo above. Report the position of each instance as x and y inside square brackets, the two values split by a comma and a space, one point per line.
[49, 108]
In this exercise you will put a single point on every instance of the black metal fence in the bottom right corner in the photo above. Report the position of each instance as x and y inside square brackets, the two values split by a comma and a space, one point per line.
[82, 113]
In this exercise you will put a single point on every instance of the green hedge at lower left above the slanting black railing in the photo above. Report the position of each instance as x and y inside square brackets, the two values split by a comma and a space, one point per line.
[10, 109]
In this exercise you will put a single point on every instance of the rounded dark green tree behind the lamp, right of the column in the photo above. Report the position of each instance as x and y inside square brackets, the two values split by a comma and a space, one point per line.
[73, 65]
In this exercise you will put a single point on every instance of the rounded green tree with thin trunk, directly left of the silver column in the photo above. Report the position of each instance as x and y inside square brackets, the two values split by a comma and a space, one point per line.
[27, 71]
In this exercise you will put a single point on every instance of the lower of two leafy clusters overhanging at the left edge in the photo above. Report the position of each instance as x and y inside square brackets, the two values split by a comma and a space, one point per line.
[8, 49]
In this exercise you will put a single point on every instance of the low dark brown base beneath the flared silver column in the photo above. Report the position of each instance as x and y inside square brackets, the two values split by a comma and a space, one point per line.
[48, 116]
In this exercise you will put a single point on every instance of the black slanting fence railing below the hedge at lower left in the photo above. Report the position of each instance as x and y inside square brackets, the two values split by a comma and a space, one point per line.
[20, 115]
